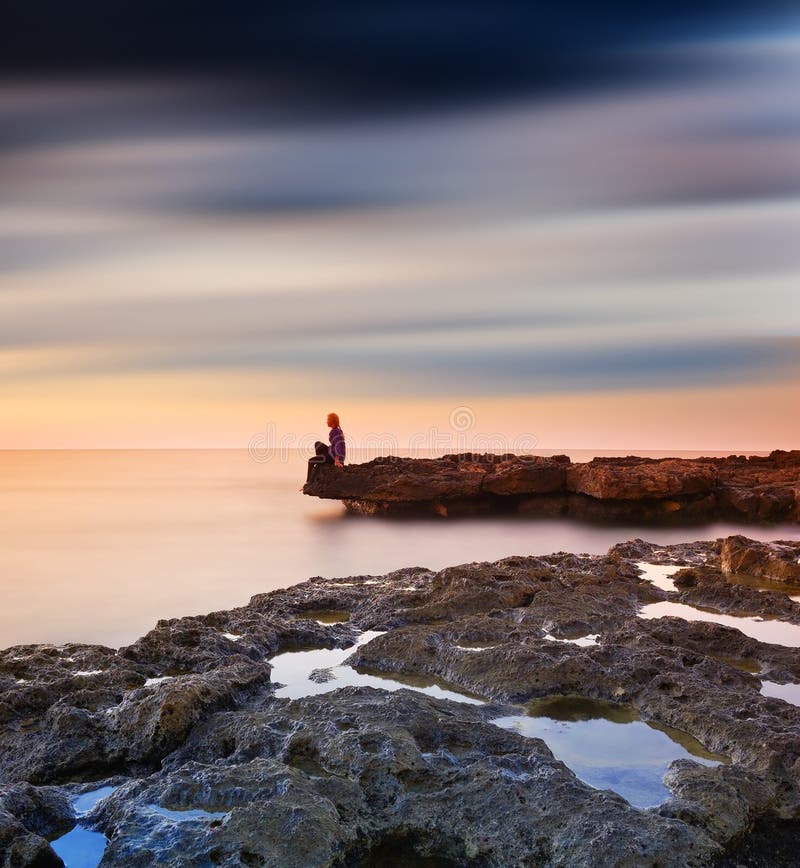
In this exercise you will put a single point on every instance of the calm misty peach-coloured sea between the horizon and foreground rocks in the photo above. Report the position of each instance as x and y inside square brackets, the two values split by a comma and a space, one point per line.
[96, 546]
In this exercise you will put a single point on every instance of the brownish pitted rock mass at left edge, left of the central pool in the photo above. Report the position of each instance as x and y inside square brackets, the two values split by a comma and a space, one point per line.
[82, 712]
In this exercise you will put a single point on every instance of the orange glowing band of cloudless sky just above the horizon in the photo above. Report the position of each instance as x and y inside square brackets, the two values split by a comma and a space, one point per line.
[216, 411]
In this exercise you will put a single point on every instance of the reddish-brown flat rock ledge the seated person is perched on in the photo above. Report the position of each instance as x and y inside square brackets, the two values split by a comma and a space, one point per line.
[659, 491]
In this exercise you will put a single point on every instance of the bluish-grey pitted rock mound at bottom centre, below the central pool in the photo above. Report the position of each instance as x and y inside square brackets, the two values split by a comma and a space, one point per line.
[338, 780]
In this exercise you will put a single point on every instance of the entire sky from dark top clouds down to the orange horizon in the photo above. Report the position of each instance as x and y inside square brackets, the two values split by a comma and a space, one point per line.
[441, 225]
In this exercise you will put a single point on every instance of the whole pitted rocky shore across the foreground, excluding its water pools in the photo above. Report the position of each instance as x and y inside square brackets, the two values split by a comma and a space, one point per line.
[186, 720]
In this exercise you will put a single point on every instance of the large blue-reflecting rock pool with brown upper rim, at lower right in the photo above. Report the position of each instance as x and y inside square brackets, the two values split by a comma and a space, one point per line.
[608, 746]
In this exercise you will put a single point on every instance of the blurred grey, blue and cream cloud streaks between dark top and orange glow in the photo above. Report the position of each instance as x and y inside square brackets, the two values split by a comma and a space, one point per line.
[616, 239]
